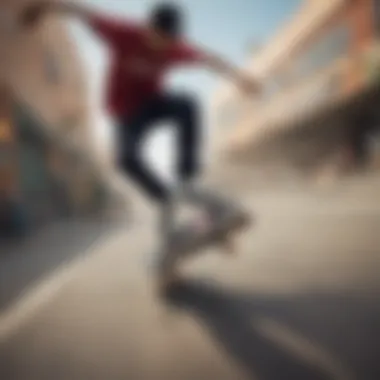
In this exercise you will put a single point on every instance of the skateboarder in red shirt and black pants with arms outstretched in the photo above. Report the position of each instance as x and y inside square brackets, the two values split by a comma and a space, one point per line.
[142, 53]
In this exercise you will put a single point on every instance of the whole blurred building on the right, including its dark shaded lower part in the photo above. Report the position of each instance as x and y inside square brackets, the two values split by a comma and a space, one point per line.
[320, 72]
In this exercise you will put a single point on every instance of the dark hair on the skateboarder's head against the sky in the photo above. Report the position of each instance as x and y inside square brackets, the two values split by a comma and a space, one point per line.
[167, 18]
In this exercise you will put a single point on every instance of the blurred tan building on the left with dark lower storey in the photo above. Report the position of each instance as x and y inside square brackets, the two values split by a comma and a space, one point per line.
[43, 99]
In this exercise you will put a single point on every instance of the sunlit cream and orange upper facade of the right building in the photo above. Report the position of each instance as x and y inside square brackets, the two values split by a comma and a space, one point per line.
[327, 51]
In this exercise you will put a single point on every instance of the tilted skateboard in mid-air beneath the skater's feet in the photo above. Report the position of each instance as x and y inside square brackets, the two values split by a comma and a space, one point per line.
[186, 242]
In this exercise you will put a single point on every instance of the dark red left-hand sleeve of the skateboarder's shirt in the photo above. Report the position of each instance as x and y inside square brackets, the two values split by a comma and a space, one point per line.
[111, 29]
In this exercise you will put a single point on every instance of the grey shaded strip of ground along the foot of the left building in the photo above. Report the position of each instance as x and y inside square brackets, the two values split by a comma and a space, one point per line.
[24, 263]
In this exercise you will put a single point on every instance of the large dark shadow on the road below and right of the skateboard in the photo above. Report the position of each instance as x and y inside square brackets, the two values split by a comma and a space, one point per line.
[313, 336]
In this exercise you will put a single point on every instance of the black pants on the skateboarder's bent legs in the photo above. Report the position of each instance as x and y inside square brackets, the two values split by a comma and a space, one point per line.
[180, 110]
